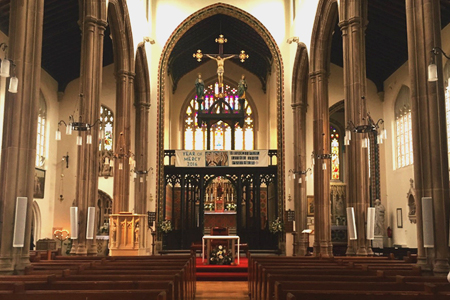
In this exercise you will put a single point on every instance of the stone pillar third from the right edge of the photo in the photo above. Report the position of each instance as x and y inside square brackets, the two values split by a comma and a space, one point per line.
[322, 209]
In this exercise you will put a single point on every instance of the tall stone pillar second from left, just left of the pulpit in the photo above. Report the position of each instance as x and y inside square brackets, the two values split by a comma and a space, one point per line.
[93, 24]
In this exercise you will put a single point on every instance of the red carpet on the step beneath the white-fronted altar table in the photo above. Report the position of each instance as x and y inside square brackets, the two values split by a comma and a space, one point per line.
[222, 273]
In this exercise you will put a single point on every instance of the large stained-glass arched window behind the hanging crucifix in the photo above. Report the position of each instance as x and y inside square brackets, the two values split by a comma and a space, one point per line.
[195, 137]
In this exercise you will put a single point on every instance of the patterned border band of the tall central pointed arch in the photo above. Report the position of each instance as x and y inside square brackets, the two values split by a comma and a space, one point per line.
[220, 8]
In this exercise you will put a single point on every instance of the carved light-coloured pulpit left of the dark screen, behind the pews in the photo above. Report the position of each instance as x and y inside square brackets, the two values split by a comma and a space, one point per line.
[127, 234]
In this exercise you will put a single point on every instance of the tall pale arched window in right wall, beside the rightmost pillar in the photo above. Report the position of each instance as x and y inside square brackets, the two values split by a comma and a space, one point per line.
[403, 128]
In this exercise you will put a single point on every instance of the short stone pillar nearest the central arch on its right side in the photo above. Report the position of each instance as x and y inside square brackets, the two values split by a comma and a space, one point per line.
[300, 197]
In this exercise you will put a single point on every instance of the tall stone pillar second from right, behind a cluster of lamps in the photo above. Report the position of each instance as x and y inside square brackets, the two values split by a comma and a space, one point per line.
[353, 21]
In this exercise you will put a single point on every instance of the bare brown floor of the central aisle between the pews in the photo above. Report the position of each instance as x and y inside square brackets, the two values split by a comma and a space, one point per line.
[221, 290]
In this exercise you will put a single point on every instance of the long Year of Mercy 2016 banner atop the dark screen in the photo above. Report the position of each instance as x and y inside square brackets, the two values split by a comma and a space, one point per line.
[235, 158]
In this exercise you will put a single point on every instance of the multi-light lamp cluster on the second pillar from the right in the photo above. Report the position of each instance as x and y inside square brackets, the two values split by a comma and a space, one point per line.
[369, 127]
